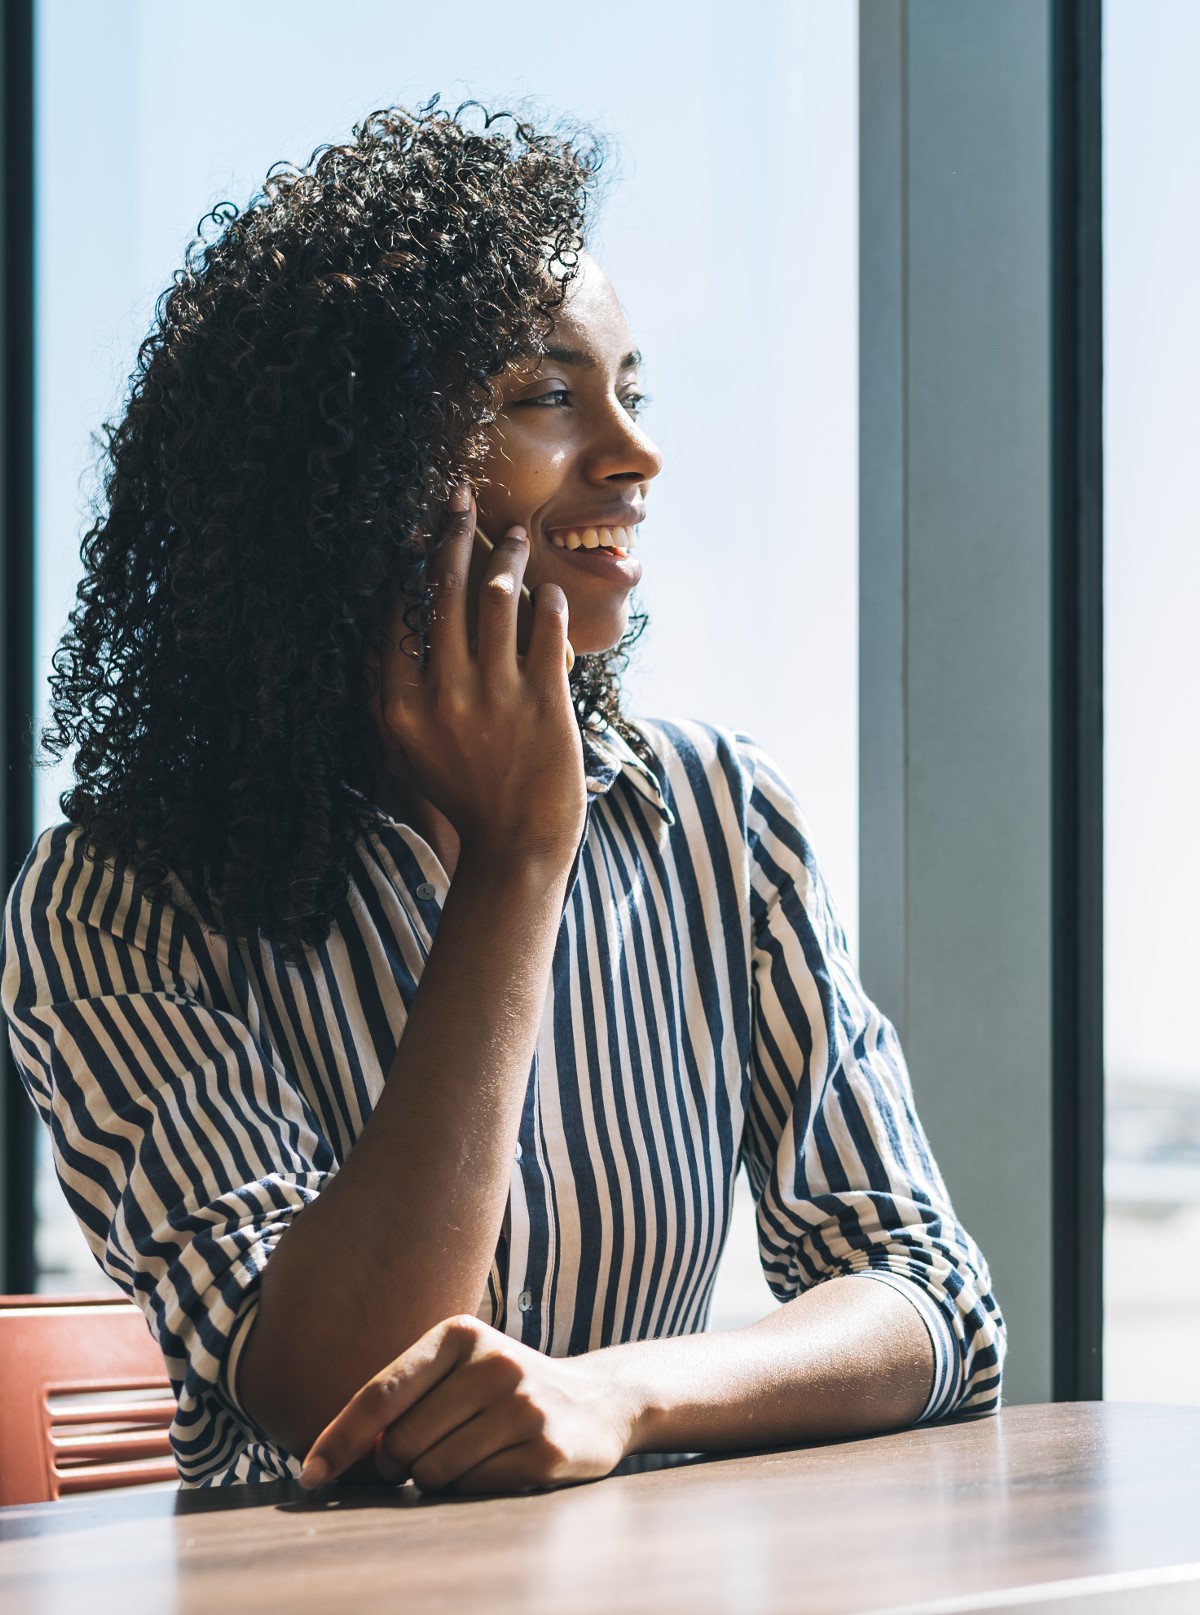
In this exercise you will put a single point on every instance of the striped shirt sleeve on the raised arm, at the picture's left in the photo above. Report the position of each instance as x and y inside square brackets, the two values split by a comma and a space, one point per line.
[183, 1146]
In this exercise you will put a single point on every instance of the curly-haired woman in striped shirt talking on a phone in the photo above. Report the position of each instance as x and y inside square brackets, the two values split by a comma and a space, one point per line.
[363, 915]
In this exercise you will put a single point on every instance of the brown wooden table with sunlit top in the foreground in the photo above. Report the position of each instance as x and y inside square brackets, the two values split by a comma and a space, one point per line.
[1083, 1509]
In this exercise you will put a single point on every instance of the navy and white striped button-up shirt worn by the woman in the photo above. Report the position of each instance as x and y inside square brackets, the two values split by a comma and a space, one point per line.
[703, 1017]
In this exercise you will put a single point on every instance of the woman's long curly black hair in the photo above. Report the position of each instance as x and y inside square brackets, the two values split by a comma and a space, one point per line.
[313, 390]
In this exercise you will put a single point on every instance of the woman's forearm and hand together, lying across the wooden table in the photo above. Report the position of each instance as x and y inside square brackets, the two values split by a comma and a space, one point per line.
[474, 1411]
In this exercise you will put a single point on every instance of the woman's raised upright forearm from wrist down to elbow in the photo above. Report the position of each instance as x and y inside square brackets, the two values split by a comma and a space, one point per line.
[405, 1235]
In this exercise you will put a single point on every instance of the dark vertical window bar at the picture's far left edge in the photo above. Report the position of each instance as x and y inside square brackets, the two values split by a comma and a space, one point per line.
[17, 553]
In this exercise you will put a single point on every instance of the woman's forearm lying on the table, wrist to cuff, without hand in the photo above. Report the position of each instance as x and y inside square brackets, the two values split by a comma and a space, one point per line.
[849, 1357]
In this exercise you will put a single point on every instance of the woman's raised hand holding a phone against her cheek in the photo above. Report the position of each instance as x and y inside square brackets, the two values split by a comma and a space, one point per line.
[487, 736]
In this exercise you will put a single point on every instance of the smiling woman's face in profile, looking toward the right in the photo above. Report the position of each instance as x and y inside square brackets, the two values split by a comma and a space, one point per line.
[566, 455]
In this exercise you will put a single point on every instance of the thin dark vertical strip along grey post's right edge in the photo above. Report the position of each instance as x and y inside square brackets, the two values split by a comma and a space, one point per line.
[1078, 705]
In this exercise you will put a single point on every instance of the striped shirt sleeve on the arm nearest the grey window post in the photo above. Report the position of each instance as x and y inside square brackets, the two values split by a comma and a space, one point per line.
[841, 1165]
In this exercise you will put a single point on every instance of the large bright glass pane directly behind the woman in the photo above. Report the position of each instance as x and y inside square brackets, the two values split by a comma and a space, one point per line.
[731, 237]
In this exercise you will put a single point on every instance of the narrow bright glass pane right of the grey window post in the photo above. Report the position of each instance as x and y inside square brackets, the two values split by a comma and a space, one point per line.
[1152, 698]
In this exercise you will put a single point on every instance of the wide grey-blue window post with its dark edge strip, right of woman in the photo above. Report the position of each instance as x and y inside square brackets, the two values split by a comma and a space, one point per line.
[981, 631]
